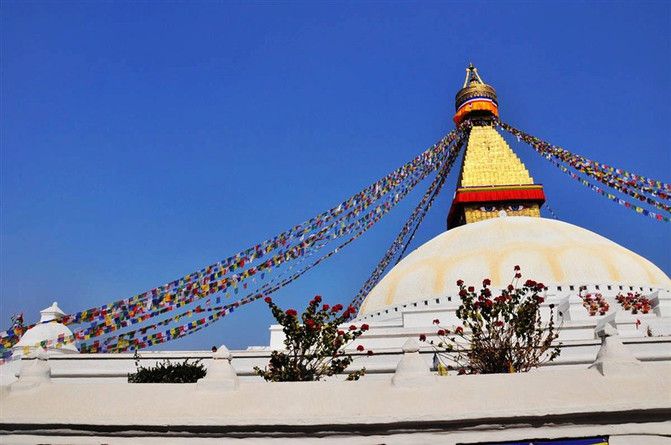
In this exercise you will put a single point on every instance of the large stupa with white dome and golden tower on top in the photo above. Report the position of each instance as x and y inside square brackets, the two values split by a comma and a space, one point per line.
[495, 224]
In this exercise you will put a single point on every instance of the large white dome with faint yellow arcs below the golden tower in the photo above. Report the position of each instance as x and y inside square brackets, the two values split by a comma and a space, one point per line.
[548, 251]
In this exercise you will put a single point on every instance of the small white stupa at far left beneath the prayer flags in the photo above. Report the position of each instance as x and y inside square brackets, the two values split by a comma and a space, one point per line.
[49, 328]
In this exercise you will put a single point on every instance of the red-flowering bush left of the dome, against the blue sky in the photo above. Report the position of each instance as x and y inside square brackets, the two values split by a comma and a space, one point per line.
[315, 348]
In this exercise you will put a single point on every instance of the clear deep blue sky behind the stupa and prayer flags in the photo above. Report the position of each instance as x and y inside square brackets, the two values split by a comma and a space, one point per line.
[141, 141]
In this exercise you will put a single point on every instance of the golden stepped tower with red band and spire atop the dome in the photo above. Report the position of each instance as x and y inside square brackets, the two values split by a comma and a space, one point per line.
[493, 181]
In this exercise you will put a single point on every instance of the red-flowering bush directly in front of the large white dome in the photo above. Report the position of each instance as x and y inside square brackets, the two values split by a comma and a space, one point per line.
[498, 334]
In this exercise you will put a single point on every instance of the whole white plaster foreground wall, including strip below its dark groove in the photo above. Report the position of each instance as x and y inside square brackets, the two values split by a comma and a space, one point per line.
[450, 410]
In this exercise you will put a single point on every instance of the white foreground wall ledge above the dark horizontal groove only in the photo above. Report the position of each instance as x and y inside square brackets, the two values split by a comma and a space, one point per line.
[539, 394]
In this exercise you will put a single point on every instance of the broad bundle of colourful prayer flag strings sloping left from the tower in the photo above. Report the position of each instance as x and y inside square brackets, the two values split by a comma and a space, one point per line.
[238, 269]
